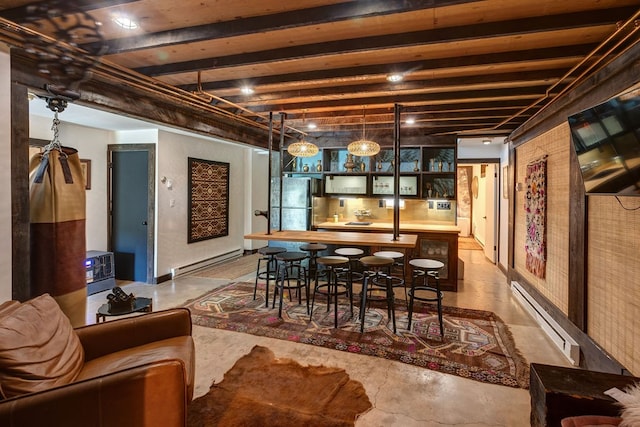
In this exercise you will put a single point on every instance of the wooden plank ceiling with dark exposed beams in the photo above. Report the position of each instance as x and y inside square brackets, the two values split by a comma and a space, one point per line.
[474, 68]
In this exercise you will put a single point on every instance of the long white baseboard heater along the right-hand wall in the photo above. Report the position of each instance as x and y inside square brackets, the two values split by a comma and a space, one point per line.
[558, 335]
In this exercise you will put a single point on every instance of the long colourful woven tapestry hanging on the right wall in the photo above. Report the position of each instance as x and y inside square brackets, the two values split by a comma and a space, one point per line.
[535, 206]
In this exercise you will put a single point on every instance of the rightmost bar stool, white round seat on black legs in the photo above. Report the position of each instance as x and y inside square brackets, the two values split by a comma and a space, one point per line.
[427, 269]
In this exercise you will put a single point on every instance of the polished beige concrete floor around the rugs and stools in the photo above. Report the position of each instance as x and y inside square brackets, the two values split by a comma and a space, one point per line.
[402, 395]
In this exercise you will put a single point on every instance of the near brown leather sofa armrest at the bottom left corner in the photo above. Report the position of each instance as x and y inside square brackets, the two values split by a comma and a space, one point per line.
[147, 395]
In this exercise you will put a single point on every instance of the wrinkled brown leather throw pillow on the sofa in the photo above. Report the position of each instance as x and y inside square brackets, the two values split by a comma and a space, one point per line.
[38, 348]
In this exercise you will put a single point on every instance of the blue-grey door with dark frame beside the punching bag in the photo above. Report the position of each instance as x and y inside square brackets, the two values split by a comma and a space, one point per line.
[131, 193]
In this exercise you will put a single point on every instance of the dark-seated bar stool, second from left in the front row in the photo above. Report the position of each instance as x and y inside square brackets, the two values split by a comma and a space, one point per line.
[290, 267]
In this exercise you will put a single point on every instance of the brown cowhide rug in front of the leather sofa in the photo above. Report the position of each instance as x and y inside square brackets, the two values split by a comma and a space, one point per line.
[261, 390]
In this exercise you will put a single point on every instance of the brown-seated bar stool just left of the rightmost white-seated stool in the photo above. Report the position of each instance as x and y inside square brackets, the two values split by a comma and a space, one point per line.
[374, 275]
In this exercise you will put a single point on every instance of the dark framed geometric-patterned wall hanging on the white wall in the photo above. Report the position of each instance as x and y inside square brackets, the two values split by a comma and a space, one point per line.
[208, 199]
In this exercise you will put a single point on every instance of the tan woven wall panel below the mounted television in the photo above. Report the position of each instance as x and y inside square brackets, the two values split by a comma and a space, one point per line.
[613, 277]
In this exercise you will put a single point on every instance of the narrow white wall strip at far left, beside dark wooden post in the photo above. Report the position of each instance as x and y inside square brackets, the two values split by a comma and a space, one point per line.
[5, 175]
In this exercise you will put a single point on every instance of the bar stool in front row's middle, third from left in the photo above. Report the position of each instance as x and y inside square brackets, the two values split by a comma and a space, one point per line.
[332, 287]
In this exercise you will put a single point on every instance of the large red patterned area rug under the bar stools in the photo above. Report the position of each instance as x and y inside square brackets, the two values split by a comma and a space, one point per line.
[477, 344]
